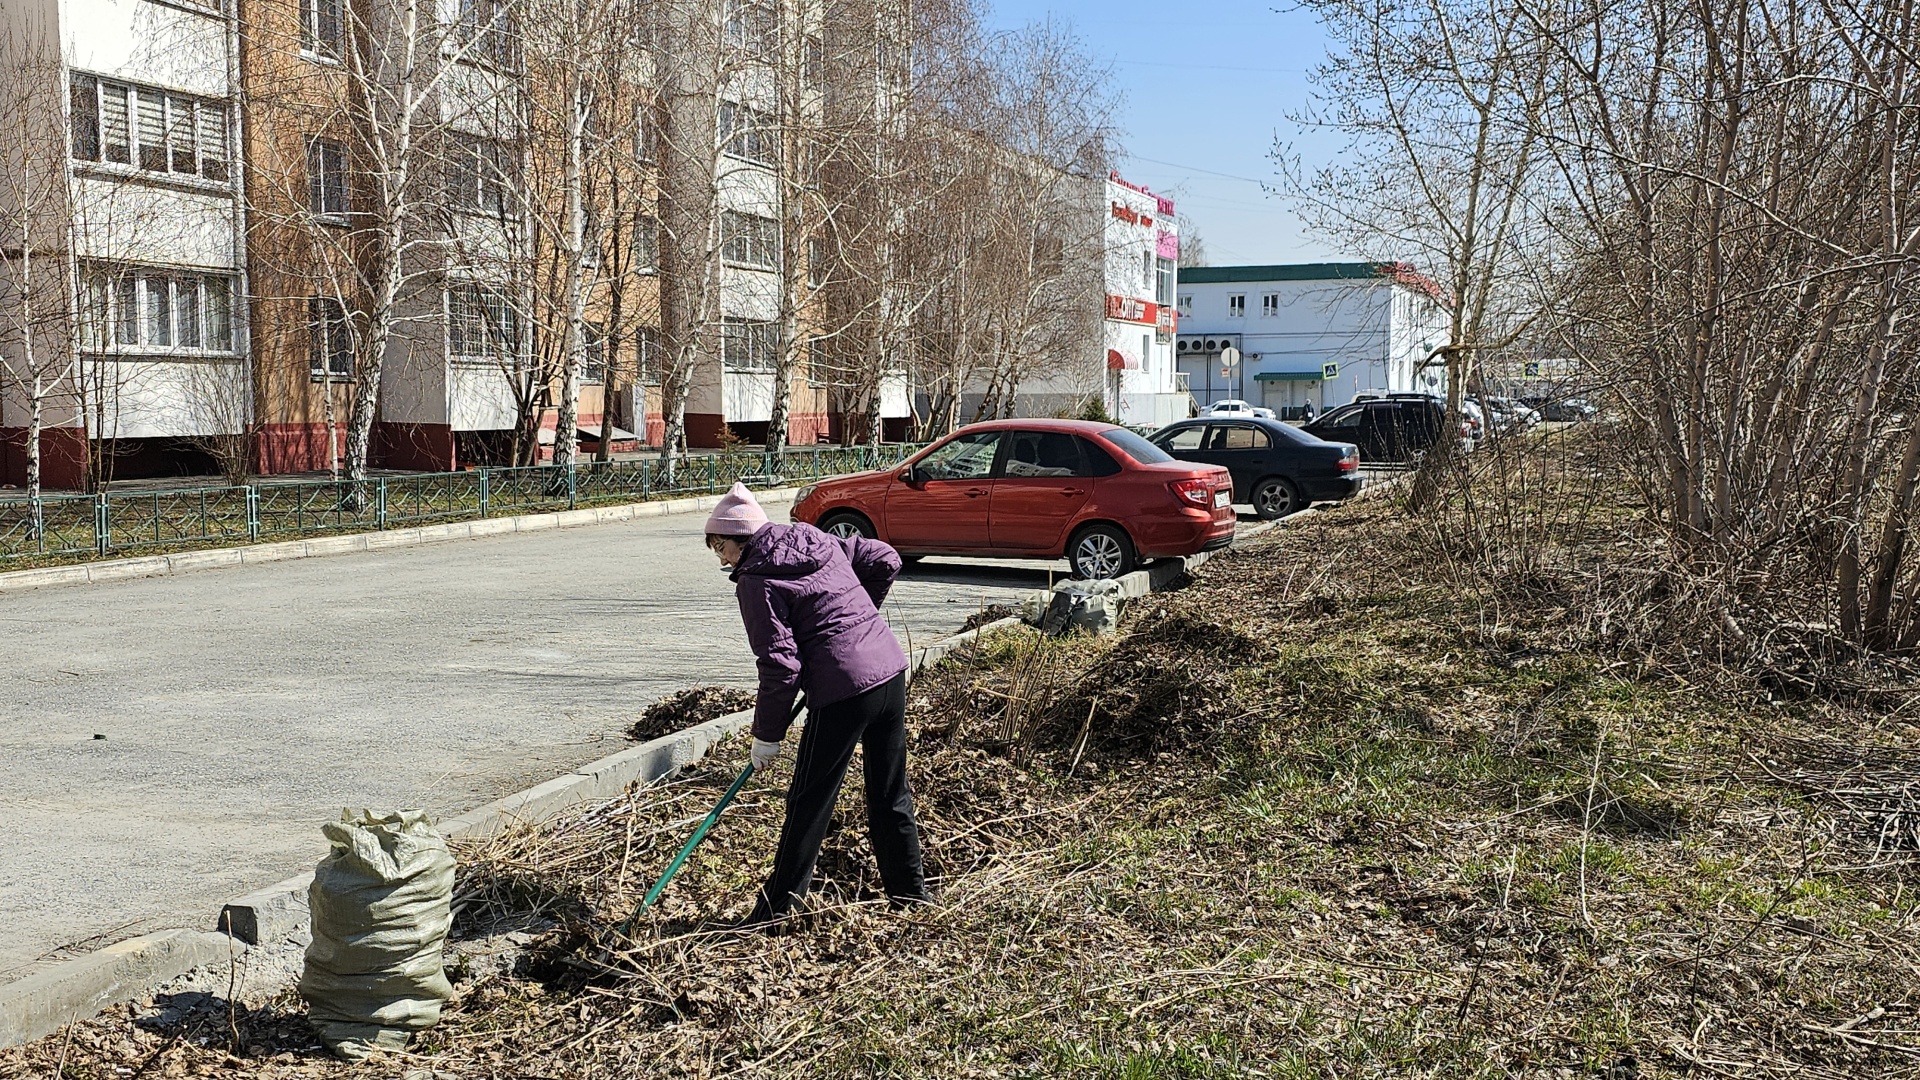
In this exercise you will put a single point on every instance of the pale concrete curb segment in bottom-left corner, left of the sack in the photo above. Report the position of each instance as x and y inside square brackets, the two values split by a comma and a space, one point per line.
[45, 1002]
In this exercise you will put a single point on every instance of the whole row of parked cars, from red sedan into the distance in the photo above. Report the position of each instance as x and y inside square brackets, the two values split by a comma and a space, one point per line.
[1109, 499]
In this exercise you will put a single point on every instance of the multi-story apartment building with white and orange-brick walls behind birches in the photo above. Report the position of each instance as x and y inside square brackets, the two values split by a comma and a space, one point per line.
[239, 241]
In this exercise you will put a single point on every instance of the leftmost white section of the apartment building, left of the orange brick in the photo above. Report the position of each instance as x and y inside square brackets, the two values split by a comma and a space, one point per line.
[126, 328]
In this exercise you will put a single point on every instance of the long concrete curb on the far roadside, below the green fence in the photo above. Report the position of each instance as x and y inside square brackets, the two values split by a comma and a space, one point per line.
[156, 566]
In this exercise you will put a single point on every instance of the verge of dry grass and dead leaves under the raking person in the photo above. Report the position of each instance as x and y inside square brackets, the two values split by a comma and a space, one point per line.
[1330, 812]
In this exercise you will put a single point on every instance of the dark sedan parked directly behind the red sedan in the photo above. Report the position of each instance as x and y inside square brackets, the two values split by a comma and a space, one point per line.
[1276, 468]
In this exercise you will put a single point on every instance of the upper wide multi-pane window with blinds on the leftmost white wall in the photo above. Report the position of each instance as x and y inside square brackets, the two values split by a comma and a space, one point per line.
[122, 124]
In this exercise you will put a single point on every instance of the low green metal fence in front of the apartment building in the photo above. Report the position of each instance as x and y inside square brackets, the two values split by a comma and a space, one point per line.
[133, 522]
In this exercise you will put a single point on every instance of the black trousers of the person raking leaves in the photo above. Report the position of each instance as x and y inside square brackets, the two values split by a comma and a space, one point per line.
[876, 724]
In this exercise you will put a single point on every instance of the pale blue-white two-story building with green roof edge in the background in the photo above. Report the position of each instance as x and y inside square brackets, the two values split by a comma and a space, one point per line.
[1308, 333]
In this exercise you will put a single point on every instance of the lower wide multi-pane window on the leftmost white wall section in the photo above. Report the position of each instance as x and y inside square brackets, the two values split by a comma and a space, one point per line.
[156, 310]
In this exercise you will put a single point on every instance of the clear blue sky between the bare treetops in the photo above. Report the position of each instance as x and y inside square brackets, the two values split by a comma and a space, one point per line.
[1209, 86]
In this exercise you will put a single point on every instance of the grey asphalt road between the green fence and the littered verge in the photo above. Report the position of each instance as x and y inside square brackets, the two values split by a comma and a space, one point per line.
[172, 743]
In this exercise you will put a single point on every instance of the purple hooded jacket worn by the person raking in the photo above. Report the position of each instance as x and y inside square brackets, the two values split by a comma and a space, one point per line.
[811, 604]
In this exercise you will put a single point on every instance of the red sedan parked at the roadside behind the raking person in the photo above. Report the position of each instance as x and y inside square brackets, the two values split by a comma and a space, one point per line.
[1093, 493]
